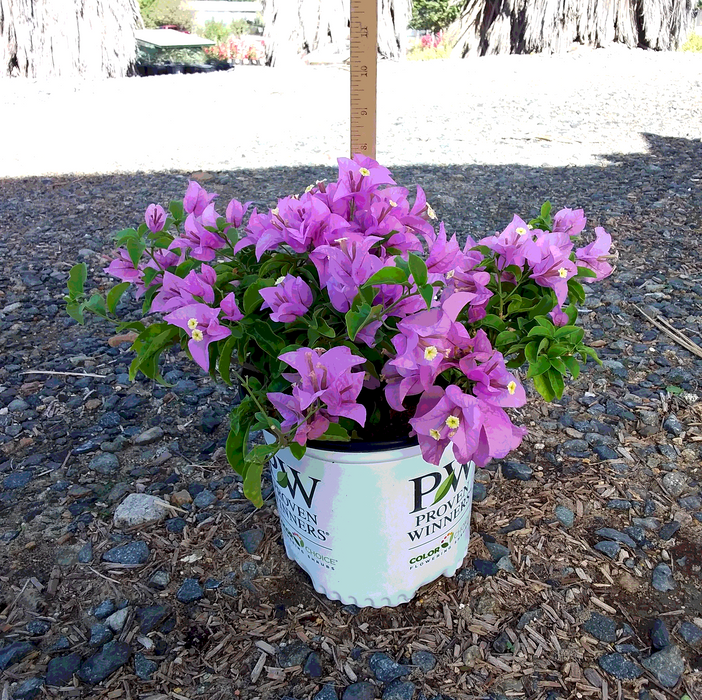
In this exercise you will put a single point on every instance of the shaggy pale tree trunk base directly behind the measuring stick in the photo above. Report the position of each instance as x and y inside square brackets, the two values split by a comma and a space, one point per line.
[294, 28]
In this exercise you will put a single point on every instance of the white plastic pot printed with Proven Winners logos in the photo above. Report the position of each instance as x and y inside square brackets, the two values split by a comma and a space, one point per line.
[363, 523]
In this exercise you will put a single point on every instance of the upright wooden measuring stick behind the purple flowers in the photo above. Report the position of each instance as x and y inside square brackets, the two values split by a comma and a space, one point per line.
[364, 75]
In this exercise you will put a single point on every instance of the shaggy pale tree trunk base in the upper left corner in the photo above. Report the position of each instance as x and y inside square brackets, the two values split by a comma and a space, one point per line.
[67, 38]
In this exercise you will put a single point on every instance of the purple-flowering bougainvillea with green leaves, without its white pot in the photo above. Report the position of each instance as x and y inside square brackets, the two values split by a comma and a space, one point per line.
[344, 313]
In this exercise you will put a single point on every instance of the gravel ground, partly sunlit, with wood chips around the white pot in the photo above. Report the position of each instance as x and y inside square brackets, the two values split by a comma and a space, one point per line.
[600, 511]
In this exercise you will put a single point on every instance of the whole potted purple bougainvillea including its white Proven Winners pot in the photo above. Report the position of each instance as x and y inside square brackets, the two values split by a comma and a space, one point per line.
[377, 356]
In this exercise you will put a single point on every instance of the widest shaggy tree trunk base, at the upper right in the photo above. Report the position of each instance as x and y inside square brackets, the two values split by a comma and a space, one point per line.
[553, 26]
